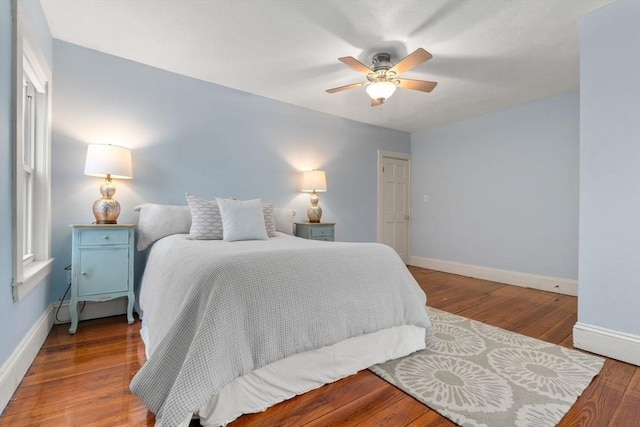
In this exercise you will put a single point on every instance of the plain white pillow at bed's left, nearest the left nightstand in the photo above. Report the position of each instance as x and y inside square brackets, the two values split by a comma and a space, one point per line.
[157, 221]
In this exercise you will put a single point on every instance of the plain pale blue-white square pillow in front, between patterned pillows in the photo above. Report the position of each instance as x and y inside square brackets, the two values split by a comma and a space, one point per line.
[242, 220]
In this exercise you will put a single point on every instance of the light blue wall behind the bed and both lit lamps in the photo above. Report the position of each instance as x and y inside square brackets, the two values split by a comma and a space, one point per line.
[187, 135]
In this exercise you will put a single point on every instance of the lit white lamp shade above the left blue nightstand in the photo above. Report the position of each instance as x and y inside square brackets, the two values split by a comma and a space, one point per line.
[103, 160]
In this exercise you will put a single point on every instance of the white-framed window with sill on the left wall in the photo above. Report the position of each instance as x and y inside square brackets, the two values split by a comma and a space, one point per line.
[32, 200]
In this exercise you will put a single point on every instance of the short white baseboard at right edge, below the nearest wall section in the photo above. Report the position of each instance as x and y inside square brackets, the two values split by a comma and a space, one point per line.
[607, 342]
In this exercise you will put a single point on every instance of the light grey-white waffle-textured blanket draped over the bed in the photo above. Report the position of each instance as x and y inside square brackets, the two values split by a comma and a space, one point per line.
[218, 310]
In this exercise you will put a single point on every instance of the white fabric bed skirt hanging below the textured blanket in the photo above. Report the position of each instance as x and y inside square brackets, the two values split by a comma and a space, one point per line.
[302, 372]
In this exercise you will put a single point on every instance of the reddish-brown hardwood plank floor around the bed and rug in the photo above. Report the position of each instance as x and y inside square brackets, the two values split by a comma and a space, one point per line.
[83, 379]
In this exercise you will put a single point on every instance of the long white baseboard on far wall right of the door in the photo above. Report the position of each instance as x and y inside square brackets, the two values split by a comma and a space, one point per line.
[545, 283]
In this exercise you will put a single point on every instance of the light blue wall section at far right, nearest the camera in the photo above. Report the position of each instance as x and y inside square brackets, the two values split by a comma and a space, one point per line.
[609, 292]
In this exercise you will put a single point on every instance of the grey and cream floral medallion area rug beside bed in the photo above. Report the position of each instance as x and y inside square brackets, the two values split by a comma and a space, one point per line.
[479, 375]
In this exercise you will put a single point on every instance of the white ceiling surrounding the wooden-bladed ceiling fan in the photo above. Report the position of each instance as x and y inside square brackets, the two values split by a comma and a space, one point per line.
[487, 54]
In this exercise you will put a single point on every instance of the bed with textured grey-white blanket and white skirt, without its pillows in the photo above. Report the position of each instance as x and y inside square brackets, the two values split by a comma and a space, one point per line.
[235, 327]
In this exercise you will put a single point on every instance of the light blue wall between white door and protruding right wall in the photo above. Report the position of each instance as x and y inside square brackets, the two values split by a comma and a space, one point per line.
[502, 189]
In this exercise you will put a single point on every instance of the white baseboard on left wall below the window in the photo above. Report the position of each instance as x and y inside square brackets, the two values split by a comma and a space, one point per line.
[16, 366]
